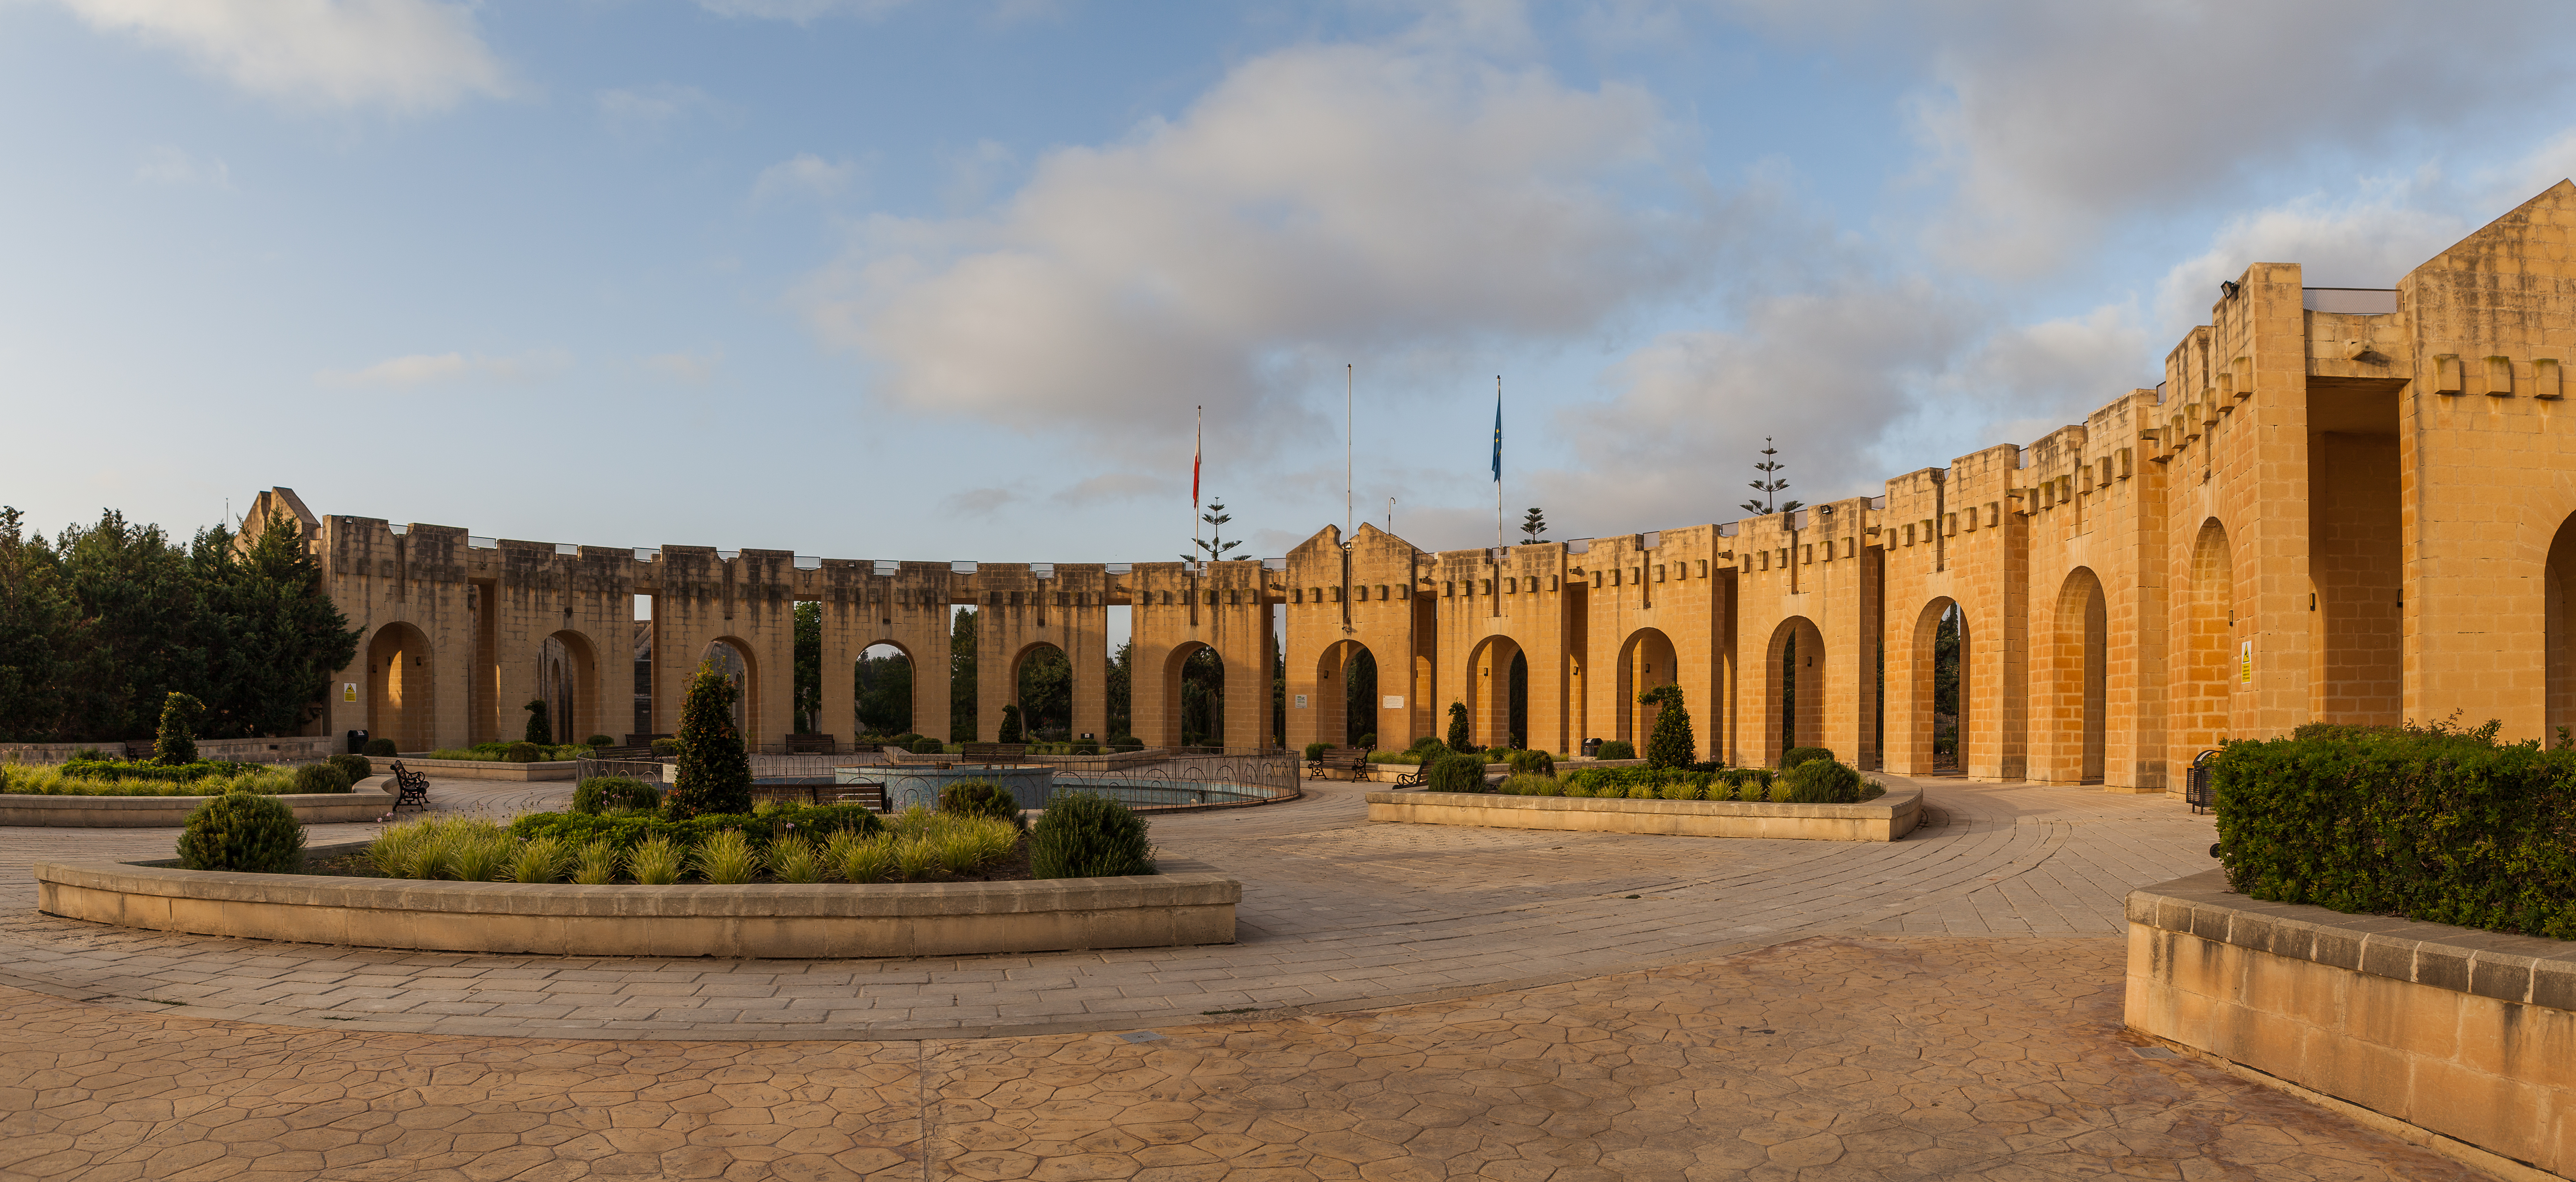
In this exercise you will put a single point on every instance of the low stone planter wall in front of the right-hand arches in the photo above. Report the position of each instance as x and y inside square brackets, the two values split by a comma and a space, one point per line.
[1882, 820]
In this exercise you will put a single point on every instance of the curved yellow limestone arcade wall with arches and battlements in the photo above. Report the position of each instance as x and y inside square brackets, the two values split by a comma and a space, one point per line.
[2335, 509]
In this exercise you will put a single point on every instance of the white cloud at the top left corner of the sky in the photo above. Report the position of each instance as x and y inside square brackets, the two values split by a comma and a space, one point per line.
[408, 55]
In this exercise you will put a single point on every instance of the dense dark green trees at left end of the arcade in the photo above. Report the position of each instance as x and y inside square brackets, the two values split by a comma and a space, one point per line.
[104, 622]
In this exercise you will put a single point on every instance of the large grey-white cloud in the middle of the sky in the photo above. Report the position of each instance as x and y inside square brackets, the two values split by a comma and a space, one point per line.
[1320, 205]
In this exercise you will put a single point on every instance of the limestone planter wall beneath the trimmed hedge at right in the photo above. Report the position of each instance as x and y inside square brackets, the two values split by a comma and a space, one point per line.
[2459, 1034]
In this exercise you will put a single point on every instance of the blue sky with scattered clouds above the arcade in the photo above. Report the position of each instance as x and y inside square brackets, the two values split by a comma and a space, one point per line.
[885, 279]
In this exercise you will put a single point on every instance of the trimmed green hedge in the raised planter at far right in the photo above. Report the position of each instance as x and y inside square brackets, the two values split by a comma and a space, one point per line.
[2428, 823]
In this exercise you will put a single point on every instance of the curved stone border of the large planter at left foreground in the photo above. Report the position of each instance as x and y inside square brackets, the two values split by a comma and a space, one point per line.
[756, 921]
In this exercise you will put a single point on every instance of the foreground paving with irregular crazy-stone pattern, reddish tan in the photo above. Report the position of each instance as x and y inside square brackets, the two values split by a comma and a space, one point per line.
[1853, 1057]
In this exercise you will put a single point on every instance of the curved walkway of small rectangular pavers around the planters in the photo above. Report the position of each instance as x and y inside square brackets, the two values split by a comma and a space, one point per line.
[1338, 915]
